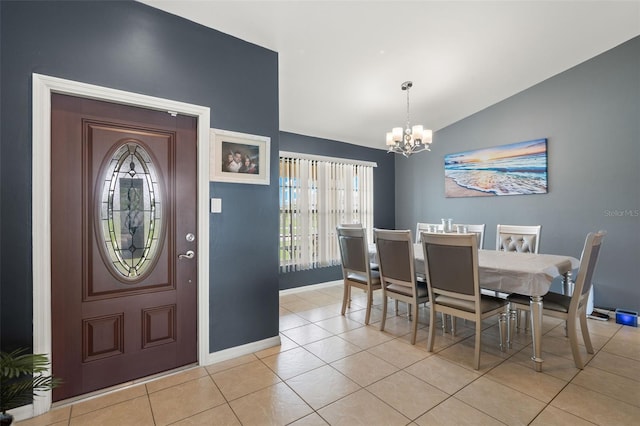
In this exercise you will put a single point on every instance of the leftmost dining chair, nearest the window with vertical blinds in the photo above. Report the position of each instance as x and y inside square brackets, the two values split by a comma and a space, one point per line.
[356, 268]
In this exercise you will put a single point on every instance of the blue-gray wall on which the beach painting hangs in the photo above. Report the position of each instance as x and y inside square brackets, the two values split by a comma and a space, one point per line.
[591, 117]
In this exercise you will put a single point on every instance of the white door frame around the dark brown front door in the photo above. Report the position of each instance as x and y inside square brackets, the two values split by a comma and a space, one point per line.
[43, 87]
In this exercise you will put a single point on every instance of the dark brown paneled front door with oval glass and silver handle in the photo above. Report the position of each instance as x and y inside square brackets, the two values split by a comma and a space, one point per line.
[123, 263]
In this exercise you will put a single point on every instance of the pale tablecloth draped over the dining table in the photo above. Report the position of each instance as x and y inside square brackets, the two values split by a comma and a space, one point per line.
[525, 273]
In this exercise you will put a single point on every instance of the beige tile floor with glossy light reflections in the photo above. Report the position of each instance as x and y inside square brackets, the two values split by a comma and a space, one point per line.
[334, 370]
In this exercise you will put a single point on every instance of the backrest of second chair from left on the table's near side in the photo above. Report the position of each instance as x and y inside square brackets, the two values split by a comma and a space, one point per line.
[395, 257]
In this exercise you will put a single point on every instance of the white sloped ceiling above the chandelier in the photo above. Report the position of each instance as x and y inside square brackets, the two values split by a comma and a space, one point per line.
[341, 63]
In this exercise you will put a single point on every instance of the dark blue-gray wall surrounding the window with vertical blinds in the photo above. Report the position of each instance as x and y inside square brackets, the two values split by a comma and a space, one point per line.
[383, 187]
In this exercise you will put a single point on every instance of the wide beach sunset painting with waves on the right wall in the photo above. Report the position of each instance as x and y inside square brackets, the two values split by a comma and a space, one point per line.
[513, 169]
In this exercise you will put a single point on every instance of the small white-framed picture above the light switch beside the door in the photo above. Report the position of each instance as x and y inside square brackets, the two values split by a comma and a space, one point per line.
[239, 157]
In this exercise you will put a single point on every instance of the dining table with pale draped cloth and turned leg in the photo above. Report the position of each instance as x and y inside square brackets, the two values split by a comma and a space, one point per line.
[530, 274]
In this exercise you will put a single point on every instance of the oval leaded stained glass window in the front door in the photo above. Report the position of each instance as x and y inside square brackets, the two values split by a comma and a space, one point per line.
[130, 211]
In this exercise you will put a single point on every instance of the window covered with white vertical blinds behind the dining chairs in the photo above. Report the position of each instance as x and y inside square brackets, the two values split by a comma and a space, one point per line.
[316, 195]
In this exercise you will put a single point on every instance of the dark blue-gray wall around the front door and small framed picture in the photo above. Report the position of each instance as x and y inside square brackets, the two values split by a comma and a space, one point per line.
[133, 47]
